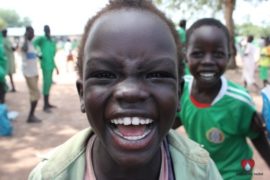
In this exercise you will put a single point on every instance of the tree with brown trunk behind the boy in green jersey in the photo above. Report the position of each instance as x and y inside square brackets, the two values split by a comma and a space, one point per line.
[227, 6]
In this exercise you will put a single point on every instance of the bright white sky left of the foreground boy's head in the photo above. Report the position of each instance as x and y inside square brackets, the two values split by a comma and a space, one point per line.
[68, 16]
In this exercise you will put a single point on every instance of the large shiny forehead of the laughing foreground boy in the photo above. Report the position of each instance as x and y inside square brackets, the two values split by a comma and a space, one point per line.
[129, 31]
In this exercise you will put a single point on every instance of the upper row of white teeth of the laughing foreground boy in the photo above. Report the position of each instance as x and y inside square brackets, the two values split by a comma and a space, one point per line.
[131, 120]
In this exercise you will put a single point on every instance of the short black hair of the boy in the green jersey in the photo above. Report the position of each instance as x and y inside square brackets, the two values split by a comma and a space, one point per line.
[209, 22]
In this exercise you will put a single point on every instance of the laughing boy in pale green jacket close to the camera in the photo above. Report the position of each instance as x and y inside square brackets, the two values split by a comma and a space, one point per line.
[128, 87]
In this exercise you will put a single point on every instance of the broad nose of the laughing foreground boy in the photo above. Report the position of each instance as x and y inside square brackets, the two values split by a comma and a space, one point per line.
[130, 91]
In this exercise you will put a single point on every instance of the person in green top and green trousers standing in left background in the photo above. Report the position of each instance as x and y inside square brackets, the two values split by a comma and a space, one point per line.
[48, 50]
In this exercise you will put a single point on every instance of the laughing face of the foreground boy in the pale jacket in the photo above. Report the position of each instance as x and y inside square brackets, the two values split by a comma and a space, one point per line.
[129, 86]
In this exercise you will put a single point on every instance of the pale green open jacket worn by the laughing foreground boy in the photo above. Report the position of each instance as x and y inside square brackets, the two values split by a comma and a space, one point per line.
[67, 161]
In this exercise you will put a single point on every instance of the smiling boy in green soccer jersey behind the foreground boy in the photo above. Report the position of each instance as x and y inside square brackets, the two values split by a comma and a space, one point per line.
[215, 112]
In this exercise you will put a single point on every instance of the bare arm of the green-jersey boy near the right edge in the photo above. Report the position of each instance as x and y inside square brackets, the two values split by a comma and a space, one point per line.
[261, 142]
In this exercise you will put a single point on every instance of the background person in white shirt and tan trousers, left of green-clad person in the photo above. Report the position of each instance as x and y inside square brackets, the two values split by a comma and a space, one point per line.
[30, 72]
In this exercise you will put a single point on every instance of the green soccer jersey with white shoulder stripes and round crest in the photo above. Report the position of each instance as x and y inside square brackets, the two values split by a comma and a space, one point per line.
[222, 127]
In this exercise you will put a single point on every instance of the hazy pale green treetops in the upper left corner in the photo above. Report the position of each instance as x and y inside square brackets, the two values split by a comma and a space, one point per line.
[12, 19]
